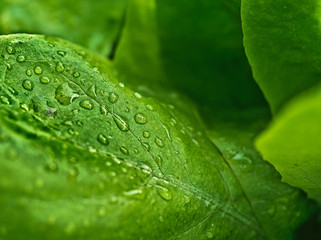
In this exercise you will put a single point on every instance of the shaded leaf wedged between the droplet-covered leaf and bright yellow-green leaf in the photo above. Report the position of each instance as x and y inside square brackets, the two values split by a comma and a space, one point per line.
[259, 180]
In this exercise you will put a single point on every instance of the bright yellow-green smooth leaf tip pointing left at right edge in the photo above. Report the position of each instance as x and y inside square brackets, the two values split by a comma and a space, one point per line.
[292, 142]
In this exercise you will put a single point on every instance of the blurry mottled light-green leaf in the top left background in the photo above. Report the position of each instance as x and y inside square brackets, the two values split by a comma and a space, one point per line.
[94, 24]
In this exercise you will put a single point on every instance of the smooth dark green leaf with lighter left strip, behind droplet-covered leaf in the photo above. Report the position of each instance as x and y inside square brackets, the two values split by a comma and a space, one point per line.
[195, 47]
